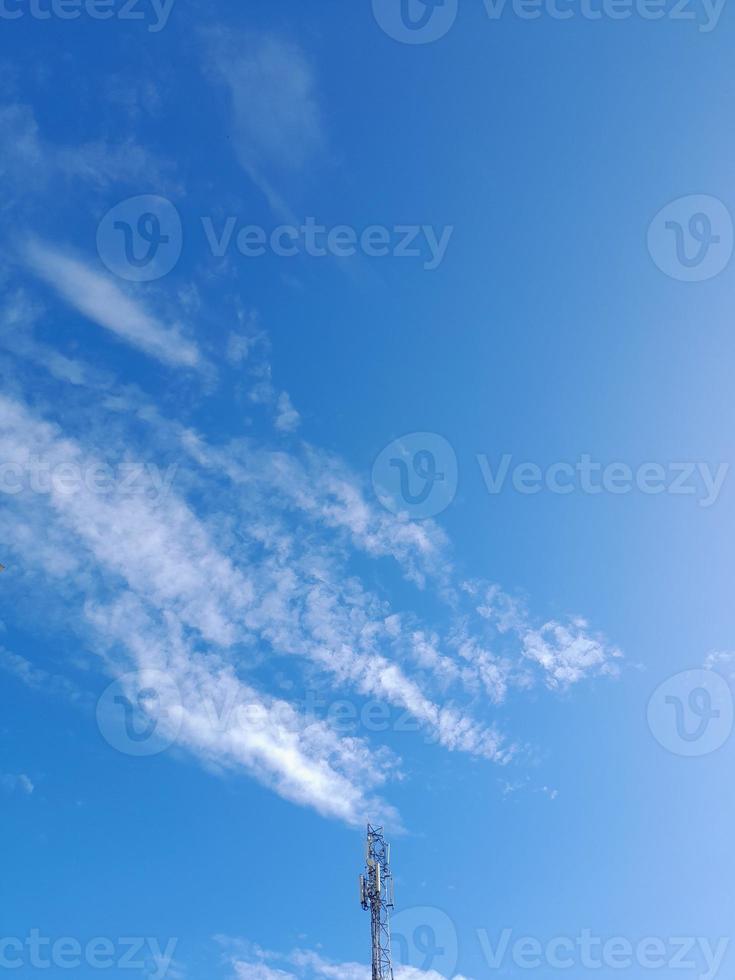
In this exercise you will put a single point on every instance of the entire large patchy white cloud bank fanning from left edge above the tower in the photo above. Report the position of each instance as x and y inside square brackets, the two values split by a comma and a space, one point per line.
[252, 554]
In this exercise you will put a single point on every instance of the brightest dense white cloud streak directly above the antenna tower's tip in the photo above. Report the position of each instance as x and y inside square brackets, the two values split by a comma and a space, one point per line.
[231, 725]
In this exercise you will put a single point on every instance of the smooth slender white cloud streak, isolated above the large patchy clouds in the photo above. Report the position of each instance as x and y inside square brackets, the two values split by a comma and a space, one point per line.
[101, 300]
